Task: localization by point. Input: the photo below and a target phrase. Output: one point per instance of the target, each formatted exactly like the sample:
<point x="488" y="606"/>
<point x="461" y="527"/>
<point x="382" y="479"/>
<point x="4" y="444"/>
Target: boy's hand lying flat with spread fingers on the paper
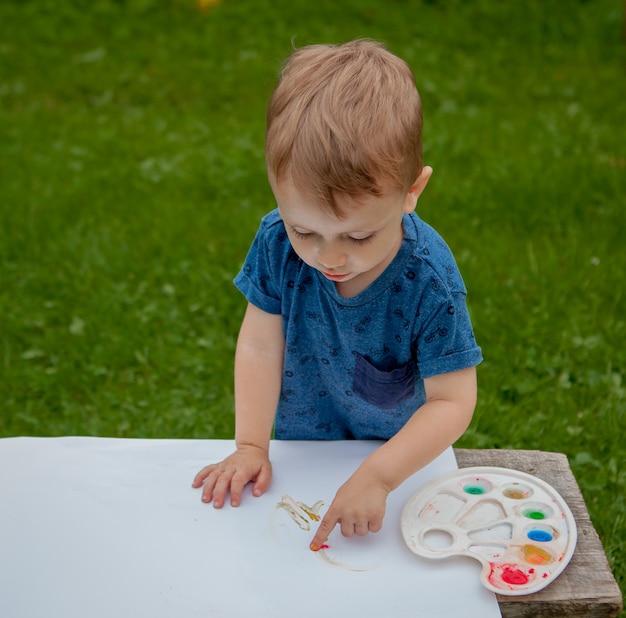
<point x="248" y="463"/>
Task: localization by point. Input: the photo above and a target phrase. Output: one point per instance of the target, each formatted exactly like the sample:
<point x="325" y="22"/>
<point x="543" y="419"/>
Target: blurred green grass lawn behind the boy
<point x="132" y="181"/>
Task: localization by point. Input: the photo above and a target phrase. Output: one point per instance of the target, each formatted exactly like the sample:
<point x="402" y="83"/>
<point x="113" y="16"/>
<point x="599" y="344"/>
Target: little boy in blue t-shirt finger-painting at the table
<point x="356" y="325"/>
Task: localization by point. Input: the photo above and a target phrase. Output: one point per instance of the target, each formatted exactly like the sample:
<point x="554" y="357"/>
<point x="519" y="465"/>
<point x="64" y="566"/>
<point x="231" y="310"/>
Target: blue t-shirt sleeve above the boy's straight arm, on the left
<point x="258" y="279"/>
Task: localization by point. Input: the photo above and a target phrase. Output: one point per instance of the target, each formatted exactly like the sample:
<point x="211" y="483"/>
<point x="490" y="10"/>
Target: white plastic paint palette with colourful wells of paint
<point x="515" y="524"/>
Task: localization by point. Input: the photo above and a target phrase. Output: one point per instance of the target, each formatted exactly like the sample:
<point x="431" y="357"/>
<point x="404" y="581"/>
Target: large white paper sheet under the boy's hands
<point x="96" y="527"/>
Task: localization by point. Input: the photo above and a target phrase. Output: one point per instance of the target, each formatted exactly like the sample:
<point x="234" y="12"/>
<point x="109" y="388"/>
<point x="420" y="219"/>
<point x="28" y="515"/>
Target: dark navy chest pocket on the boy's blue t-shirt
<point x="385" y="389"/>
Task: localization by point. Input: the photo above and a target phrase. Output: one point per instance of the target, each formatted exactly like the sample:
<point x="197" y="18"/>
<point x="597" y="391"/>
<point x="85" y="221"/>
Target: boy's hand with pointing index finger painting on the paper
<point x="359" y="507"/>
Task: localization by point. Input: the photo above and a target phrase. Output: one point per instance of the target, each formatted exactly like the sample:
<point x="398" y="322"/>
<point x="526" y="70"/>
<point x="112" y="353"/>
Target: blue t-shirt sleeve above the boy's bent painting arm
<point x="446" y="342"/>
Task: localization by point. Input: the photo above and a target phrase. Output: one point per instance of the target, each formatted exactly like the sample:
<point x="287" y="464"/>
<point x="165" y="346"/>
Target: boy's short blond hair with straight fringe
<point x="345" y="119"/>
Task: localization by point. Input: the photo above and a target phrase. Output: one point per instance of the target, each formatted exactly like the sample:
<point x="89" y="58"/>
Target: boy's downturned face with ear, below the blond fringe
<point x="354" y="250"/>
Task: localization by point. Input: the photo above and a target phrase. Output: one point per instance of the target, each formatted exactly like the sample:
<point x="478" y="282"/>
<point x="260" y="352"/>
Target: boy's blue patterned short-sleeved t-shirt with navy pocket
<point x="354" y="367"/>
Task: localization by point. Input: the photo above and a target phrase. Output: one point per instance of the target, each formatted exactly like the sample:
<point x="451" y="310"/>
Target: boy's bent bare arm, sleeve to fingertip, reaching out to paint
<point x="359" y="505"/>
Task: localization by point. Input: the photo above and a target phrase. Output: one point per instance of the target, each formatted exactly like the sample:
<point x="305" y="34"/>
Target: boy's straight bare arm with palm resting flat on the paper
<point x="258" y="374"/>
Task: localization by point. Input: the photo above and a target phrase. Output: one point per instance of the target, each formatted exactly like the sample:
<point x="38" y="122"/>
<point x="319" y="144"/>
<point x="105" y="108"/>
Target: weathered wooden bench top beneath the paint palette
<point x="587" y="586"/>
